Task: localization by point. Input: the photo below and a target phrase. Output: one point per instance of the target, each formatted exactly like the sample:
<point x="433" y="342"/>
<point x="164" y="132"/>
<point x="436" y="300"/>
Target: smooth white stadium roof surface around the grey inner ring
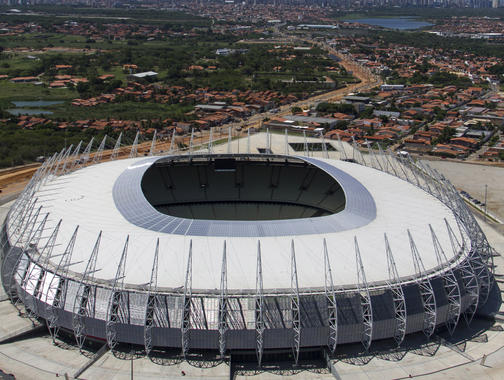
<point x="85" y="198"/>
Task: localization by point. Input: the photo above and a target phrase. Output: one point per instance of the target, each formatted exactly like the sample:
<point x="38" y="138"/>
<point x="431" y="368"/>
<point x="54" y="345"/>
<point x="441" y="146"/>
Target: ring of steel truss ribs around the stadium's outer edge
<point x="474" y="269"/>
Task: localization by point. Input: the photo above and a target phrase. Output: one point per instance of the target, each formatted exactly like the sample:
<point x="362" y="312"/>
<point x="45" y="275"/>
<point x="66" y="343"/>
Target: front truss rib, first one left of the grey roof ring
<point x="84" y="299"/>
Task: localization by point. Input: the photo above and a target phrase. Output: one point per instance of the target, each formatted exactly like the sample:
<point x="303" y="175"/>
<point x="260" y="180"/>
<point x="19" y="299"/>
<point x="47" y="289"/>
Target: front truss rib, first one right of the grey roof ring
<point x="394" y="283"/>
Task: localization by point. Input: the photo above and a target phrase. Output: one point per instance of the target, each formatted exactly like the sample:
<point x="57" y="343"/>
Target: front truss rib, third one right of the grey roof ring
<point x="451" y="285"/>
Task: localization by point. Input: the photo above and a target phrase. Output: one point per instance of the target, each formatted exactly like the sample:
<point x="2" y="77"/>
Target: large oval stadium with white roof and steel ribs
<point x="292" y="244"/>
